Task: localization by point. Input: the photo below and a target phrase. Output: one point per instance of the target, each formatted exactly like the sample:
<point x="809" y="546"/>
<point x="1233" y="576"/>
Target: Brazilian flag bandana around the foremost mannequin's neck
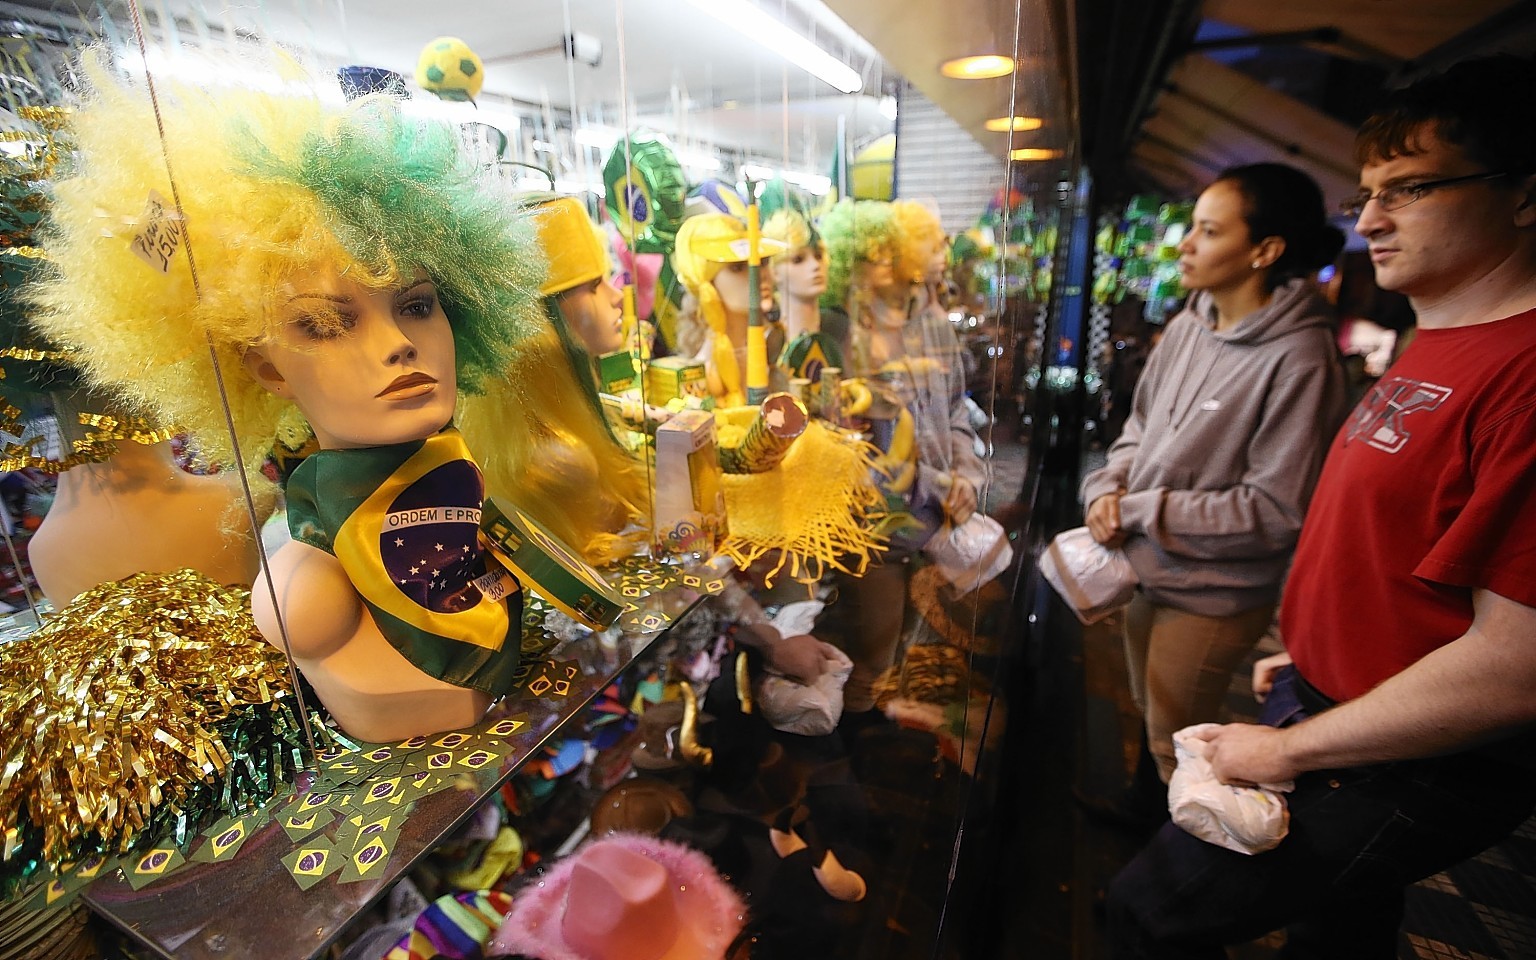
<point x="405" y="523"/>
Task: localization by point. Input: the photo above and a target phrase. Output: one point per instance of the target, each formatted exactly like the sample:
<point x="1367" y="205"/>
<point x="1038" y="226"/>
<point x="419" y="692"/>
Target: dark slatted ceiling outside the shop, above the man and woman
<point x="1230" y="82"/>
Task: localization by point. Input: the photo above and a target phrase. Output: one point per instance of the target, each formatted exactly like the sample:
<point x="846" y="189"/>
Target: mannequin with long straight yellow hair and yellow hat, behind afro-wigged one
<point x="538" y="432"/>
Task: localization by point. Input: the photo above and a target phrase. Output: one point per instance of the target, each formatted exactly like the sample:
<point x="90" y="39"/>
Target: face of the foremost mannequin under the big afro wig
<point x="368" y="368"/>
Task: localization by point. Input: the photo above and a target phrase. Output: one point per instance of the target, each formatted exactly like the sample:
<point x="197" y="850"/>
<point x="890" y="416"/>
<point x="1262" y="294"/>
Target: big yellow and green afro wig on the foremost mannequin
<point x="265" y="187"/>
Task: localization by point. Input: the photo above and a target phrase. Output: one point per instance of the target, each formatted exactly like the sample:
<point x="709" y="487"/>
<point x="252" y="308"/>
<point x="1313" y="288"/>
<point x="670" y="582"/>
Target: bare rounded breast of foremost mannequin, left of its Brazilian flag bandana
<point x="320" y="607"/>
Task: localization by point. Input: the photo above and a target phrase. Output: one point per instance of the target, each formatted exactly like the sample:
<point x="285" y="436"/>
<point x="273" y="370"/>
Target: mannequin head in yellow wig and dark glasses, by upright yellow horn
<point x="710" y="260"/>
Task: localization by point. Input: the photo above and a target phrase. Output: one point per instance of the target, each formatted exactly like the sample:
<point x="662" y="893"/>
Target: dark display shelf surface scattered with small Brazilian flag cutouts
<point x="254" y="905"/>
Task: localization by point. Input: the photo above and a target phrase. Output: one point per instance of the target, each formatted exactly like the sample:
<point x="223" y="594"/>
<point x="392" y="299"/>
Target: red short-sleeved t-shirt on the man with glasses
<point x="1429" y="494"/>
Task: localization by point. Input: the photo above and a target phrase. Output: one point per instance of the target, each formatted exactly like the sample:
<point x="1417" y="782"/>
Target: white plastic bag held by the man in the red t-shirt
<point x="1246" y="819"/>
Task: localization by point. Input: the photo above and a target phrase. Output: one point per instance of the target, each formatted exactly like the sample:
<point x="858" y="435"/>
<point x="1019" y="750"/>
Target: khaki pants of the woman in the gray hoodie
<point x="1182" y="666"/>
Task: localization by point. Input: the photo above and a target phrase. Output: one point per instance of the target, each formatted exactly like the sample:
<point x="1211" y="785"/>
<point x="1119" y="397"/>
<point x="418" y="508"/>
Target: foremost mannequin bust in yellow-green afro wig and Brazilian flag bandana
<point x="348" y="271"/>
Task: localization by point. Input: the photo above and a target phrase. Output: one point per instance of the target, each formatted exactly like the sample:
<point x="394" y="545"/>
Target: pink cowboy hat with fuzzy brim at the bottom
<point x="624" y="898"/>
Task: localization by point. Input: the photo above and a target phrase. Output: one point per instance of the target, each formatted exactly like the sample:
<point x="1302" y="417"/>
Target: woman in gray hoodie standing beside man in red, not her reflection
<point x="1208" y="485"/>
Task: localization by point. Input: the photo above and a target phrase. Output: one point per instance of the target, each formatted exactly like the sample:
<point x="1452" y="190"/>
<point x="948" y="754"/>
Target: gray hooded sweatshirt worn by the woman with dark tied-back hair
<point x="1223" y="448"/>
